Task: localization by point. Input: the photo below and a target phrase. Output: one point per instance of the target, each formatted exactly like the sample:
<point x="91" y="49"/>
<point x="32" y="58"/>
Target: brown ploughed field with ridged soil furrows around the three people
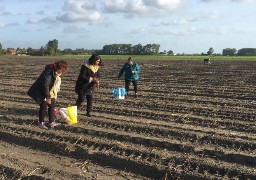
<point x="190" y="121"/>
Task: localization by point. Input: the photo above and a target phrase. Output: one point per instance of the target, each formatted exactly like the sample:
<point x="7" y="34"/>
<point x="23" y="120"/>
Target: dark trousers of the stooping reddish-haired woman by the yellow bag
<point x="43" y="109"/>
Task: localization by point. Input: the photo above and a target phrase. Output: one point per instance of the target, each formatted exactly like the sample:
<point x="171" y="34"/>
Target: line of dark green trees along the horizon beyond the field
<point x="51" y="49"/>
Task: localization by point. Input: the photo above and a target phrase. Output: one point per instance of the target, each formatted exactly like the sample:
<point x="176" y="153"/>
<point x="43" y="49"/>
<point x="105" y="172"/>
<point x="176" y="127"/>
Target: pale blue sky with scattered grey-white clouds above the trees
<point x="184" y="26"/>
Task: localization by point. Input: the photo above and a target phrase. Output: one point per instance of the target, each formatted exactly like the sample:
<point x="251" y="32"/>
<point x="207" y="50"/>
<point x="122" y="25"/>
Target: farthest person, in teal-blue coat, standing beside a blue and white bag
<point x="132" y="72"/>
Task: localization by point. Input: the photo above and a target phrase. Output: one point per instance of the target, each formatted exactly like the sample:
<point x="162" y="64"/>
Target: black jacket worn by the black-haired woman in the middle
<point x="83" y="83"/>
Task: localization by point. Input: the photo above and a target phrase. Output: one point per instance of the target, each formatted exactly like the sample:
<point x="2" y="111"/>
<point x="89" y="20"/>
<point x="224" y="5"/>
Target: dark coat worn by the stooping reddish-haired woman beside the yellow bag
<point x="40" y="89"/>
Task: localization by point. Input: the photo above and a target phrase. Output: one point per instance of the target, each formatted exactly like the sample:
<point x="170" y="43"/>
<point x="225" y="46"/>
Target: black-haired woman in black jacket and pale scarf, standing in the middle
<point x="88" y="80"/>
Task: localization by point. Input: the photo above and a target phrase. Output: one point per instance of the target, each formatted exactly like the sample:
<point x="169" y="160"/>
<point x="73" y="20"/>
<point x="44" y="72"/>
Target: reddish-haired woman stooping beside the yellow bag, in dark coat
<point x="44" y="91"/>
